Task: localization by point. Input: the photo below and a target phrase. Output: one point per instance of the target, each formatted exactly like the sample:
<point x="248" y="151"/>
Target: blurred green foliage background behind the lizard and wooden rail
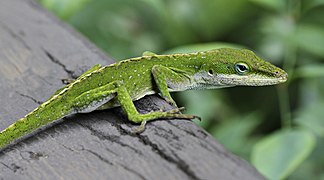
<point x="279" y="129"/>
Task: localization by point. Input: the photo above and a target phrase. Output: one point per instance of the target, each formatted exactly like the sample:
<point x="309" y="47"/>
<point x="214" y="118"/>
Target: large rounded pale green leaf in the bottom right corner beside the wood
<point x="279" y="154"/>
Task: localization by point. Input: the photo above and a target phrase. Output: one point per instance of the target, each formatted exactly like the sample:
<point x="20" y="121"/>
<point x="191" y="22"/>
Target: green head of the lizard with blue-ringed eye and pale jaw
<point x="231" y="67"/>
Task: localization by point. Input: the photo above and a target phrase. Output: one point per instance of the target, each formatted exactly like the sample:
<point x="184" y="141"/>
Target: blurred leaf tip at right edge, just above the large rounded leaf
<point x="312" y="118"/>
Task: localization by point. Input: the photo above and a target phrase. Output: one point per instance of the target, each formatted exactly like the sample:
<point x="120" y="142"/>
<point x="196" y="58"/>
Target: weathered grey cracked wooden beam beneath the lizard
<point x="36" y="52"/>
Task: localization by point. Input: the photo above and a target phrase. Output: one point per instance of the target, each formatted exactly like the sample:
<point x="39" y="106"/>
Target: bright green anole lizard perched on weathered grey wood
<point x="122" y="83"/>
